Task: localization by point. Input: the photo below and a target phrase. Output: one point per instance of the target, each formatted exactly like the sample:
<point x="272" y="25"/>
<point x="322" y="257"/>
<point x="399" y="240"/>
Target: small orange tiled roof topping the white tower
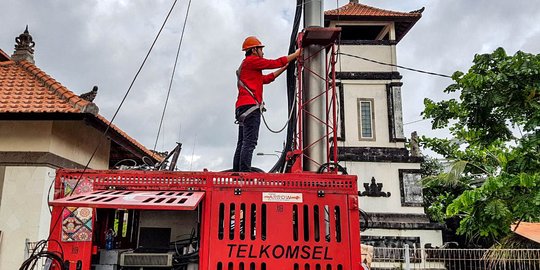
<point x="356" y="9"/>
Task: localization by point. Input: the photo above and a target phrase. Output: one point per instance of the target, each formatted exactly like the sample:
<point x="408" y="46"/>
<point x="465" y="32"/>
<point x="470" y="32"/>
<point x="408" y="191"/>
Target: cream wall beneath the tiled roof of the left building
<point x="24" y="184"/>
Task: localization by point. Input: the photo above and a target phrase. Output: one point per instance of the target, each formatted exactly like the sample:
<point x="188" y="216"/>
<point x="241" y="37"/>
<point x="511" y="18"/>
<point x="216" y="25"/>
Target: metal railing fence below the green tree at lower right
<point x="455" y="259"/>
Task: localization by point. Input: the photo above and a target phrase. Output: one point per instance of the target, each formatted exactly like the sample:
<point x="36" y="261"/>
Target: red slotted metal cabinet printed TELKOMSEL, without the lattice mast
<point x="325" y="205"/>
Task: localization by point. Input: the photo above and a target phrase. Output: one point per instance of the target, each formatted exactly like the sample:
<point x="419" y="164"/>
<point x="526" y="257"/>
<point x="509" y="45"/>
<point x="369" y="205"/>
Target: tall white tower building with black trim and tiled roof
<point x="371" y="139"/>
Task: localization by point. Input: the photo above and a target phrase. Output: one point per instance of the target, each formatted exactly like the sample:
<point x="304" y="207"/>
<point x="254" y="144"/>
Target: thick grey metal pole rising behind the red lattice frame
<point x="313" y="86"/>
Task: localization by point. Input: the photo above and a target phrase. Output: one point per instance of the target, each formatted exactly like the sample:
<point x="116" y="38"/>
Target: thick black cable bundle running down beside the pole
<point x="280" y="165"/>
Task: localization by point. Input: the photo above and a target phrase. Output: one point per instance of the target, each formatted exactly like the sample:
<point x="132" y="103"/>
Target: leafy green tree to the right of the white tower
<point x="496" y="171"/>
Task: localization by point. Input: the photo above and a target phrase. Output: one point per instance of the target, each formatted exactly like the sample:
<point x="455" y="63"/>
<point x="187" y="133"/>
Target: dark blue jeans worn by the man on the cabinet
<point x="248" y="134"/>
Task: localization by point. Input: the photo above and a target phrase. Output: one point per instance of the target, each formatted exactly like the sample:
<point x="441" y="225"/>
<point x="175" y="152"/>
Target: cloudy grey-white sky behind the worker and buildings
<point x="103" y="42"/>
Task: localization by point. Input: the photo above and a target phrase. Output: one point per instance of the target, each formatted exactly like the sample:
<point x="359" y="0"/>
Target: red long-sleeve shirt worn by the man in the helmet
<point x="251" y="75"/>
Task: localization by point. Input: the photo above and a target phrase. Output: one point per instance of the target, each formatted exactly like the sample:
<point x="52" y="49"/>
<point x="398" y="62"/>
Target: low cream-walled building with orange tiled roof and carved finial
<point x="45" y="126"/>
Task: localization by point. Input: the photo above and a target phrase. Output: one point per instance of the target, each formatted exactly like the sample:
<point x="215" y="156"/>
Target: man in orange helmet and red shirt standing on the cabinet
<point x="250" y="98"/>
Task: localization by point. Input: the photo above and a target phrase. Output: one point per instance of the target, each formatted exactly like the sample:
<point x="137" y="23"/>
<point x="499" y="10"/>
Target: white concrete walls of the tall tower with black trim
<point x="370" y="81"/>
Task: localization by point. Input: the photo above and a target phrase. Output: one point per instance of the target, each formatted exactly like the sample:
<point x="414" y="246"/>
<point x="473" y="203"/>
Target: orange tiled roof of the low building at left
<point x="26" y="89"/>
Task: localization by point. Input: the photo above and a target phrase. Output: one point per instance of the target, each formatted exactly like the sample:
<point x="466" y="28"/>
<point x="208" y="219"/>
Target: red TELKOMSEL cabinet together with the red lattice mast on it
<point x="298" y="220"/>
